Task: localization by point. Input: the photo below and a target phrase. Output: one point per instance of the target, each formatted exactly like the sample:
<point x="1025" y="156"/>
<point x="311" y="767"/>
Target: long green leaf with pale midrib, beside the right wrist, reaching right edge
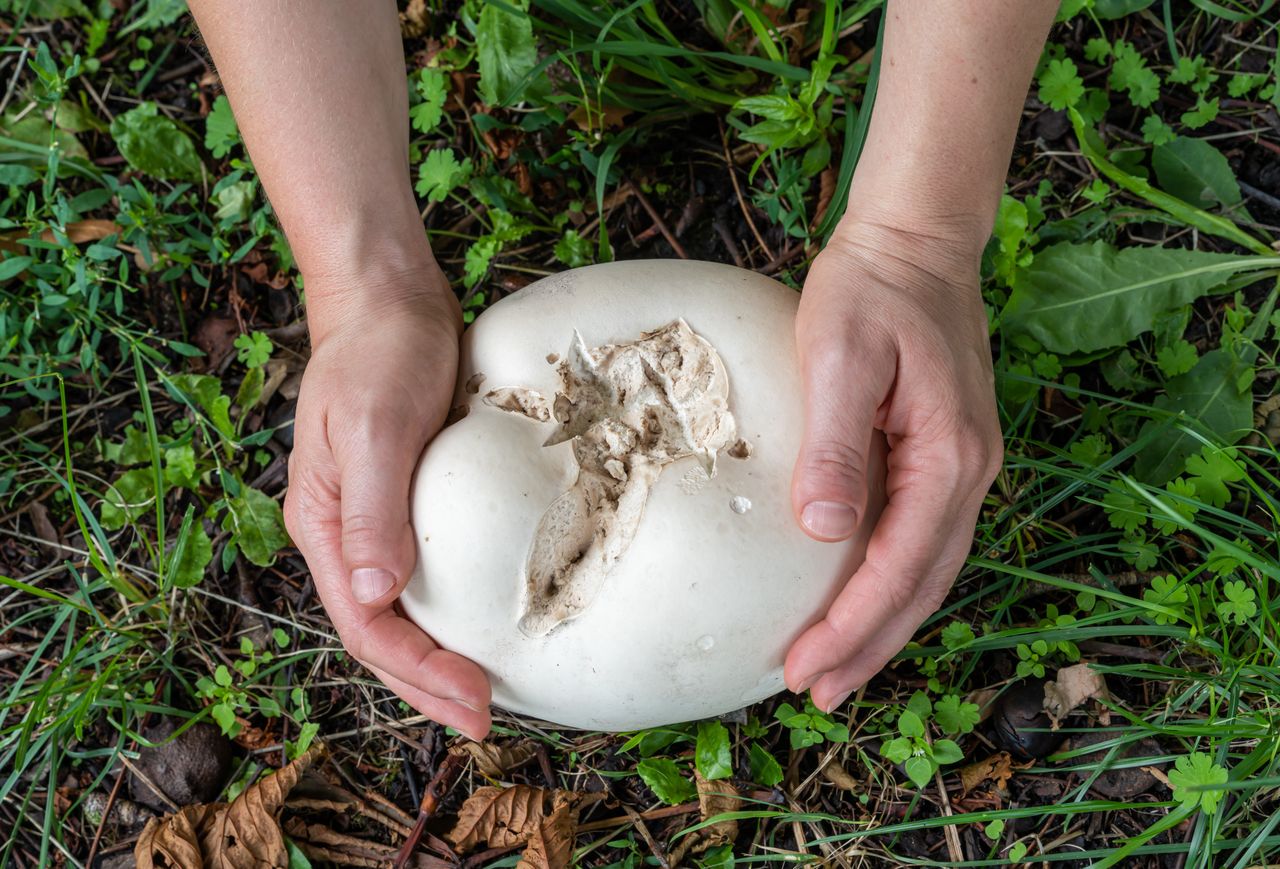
<point x="1087" y="298"/>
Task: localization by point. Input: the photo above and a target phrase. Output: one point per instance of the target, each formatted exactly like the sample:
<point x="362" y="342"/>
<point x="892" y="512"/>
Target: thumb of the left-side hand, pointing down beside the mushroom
<point x="377" y="541"/>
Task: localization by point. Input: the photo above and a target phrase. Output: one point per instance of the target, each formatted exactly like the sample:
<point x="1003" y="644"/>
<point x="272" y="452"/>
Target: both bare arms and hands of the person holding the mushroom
<point x="892" y="330"/>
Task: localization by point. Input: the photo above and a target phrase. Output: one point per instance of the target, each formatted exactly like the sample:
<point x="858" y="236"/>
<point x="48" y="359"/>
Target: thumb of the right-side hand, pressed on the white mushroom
<point x="843" y="397"/>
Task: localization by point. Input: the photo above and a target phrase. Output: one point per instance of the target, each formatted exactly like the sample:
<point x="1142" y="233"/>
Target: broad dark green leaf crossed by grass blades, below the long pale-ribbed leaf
<point x="1210" y="395"/>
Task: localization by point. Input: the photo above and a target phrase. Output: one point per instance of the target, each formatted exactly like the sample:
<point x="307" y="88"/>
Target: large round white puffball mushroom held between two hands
<point x="607" y="530"/>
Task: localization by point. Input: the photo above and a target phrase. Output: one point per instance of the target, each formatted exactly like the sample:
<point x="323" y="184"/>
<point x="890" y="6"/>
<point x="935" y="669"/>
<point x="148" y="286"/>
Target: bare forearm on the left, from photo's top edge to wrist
<point x="319" y="93"/>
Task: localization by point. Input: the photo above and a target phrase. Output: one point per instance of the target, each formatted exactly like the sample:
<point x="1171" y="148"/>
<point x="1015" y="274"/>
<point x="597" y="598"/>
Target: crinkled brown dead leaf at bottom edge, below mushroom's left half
<point x="543" y="822"/>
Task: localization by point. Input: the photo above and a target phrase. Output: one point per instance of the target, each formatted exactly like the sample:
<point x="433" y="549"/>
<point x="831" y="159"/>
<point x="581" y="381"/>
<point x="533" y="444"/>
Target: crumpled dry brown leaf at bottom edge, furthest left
<point x="241" y="835"/>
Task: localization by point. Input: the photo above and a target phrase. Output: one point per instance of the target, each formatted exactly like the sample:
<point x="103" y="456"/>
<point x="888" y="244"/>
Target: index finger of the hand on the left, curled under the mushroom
<point x="381" y="639"/>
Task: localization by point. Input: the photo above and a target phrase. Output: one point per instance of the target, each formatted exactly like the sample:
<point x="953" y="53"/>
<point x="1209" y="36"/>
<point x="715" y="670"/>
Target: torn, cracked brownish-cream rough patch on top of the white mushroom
<point x="629" y="410"/>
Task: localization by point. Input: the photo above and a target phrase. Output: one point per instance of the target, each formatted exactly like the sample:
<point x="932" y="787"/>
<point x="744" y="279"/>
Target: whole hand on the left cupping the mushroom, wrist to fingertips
<point x="377" y="390"/>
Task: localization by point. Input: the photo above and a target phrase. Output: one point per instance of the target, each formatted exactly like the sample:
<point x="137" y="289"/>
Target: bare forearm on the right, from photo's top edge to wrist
<point x="954" y="75"/>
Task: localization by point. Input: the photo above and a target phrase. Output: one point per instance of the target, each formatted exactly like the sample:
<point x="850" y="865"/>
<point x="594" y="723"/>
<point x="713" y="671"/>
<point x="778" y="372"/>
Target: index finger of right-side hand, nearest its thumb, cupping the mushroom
<point x="932" y="495"/>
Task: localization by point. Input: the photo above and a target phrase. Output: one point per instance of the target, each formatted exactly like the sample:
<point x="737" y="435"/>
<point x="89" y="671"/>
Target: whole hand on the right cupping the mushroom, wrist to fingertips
<point x="893" y="337"/>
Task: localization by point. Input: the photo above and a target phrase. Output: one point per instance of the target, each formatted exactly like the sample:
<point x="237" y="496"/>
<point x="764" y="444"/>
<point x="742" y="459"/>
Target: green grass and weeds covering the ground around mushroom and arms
<point x="156" y="470"/>
